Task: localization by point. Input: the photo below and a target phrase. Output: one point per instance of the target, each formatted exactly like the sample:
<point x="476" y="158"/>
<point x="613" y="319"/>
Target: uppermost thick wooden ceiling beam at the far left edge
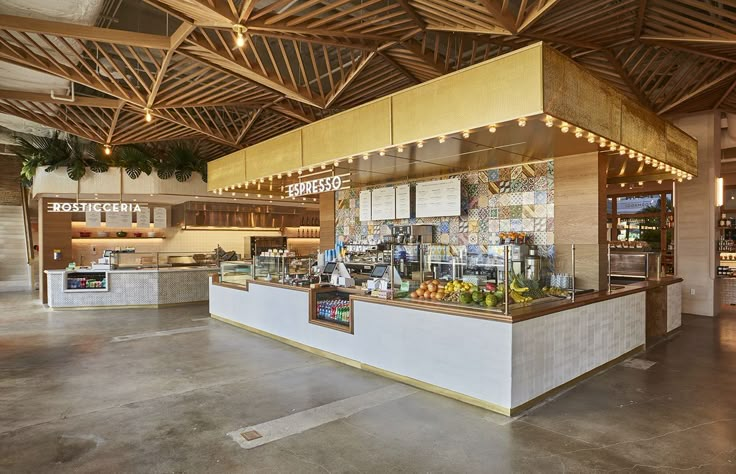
<point x="82" y="32"/>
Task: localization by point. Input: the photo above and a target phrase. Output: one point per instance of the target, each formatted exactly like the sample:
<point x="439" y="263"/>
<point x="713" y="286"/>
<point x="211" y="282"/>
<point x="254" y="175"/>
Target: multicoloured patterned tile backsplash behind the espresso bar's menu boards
<point x="518" y="198"/>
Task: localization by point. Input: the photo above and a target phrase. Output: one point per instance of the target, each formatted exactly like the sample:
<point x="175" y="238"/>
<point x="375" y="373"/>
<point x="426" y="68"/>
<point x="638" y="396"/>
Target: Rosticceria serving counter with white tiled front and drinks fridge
<point x="124" y="288"/>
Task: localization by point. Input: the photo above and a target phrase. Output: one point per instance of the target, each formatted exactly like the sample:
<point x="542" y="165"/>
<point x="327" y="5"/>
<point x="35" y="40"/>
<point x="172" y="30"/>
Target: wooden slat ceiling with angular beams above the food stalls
<point x="305" y="59"/>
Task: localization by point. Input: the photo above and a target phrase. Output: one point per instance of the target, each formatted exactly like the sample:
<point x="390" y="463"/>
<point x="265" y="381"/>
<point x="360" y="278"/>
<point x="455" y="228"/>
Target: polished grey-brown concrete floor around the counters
<point x="116" y="391"/>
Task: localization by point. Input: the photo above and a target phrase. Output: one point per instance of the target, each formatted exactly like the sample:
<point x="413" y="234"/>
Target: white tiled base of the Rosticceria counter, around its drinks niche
<point x="135" y="288"/>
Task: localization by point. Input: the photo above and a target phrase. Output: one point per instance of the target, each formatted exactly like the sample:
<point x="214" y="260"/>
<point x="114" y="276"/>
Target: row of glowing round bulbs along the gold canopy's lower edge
<point x="549" y="121"/>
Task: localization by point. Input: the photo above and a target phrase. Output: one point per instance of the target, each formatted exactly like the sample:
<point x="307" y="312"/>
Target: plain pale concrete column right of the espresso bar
<point x="696" y="218"/>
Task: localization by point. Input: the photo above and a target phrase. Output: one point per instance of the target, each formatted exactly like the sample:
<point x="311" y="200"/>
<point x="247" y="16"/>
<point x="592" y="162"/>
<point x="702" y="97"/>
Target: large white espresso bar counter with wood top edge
<point x="505" y="363"/>
